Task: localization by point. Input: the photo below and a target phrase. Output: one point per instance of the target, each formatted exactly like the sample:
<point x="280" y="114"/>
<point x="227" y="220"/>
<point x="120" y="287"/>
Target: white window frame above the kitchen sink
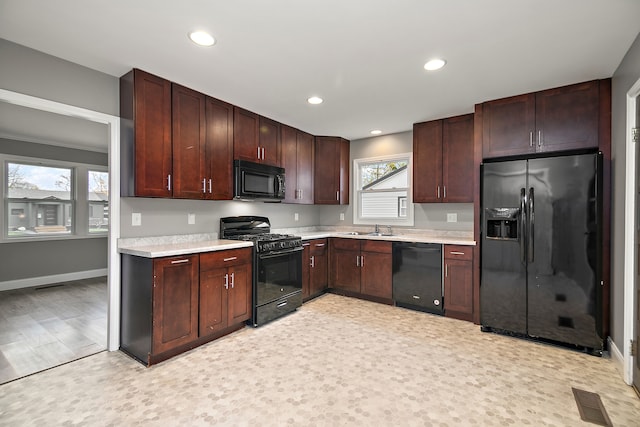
<point x="357" y="185"/>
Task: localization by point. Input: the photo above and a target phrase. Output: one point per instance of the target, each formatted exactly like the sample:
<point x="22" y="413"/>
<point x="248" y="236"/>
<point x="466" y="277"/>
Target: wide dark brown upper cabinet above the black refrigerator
<point x="564" y="118"/>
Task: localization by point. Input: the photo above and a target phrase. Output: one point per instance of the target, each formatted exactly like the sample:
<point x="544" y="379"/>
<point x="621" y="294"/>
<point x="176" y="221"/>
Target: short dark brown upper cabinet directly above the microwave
<point x="255" y="138"/>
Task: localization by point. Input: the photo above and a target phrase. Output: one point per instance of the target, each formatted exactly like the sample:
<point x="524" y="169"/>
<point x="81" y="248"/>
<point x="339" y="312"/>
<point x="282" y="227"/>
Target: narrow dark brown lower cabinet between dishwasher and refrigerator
<point x="458" y="282"/>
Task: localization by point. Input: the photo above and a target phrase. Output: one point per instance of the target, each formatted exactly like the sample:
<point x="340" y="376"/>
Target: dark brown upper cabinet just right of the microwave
<point x="297" y="151"/>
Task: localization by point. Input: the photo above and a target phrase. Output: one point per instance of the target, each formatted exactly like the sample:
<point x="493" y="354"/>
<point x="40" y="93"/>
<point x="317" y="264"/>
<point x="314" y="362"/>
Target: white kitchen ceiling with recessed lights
<point x="364" y="57"/>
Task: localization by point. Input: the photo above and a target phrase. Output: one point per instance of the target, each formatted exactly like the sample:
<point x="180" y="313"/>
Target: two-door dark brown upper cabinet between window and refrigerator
<point x="443" y="160"/>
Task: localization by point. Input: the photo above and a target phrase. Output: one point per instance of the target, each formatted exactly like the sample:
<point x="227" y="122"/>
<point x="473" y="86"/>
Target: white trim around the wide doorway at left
<point x="113" y="126"/>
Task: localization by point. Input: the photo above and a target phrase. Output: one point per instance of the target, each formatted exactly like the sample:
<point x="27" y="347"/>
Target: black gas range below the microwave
<point x="277" y="266"/>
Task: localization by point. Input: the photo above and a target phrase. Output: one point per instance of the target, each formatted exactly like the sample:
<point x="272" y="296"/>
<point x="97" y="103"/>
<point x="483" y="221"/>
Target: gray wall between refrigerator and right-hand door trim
<point x="624" y="78"/>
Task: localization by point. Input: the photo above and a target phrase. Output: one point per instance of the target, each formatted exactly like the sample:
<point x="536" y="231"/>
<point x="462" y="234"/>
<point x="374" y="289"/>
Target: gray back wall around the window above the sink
<point x="426" y="215"/>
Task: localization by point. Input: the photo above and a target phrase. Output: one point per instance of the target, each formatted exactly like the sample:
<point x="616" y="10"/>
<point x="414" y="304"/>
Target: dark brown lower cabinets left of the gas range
<point x="173" y="304"/>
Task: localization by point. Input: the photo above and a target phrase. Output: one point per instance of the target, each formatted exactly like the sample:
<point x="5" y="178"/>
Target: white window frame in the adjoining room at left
<point x="79" y="198"/>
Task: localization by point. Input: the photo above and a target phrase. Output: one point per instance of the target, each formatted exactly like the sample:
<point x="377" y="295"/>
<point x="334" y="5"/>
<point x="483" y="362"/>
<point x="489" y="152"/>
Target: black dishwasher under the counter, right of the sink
<point x="417" y="276"/>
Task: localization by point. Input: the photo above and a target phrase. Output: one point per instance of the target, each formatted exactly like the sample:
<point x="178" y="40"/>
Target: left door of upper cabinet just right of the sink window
<point x="427" y="162"/>
